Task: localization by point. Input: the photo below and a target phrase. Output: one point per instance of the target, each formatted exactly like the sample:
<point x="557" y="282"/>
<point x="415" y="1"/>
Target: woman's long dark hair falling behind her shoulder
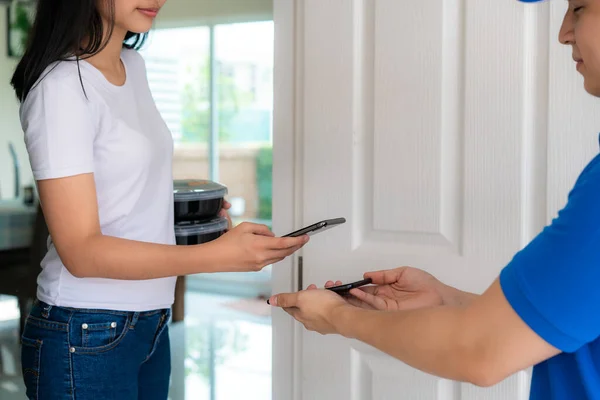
<point x="58" y="32"/>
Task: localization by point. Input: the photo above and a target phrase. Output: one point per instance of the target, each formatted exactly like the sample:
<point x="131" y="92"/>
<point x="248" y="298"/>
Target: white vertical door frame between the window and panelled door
<point x="287" y="190"/>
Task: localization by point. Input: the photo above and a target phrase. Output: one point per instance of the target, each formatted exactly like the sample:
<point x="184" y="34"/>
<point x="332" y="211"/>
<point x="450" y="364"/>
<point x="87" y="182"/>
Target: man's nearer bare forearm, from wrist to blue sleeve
<point x="482" y="343"/>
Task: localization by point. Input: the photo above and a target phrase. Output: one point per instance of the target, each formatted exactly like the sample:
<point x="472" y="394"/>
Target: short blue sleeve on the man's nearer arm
<point x="554" y="283"/>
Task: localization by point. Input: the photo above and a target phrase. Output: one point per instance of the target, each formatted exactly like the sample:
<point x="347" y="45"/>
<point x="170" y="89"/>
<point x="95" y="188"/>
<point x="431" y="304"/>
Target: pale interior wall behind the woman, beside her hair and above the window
<point x="175" y="13"/>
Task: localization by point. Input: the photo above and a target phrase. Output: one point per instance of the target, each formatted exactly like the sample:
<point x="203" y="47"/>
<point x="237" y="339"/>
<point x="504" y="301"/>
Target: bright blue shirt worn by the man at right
<point x="554" y="286"/>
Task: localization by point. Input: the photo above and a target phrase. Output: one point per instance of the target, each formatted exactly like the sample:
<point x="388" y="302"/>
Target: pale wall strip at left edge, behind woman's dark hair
<point x="10" y="127"/>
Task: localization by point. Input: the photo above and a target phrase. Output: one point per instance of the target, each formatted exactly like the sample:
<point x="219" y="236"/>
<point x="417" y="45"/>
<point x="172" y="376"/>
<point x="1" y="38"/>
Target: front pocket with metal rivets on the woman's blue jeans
<point x="95" y="332"/>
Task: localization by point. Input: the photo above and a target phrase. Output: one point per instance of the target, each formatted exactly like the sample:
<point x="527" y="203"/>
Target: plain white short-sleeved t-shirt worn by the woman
<point x="118" y="134"/>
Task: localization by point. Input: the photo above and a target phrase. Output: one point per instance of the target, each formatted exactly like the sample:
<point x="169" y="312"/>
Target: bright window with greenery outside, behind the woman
<point x="213" y="85"/>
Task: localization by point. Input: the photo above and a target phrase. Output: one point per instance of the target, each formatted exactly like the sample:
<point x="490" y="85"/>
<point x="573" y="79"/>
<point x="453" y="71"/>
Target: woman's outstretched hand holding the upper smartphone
<point x="251" y="247"/>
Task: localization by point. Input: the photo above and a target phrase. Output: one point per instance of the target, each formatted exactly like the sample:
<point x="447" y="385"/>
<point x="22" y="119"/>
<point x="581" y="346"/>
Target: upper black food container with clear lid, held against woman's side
<point x="197" y="199"/>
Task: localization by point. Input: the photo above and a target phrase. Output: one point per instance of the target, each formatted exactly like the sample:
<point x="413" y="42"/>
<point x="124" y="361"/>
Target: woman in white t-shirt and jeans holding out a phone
<point x="101" y="156"/>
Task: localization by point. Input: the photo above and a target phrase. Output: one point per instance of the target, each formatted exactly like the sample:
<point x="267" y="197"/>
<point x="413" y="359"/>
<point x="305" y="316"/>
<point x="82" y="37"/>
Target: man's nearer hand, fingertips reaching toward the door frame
<point x="314" y="308"/>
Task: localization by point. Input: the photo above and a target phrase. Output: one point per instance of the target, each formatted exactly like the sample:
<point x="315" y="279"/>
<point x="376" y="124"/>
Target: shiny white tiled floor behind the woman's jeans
<point x="221" y="352"/>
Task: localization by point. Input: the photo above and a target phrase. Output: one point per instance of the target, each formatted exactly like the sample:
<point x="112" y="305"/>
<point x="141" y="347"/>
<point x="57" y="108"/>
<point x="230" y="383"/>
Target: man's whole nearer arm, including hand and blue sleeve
<point x="547" y="303"/>
